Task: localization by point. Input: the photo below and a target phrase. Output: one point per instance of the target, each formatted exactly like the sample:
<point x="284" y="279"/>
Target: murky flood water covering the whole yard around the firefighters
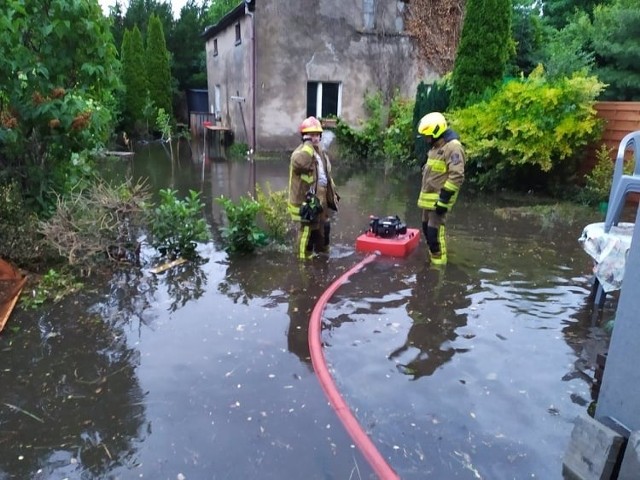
<point x="475" y="371"/>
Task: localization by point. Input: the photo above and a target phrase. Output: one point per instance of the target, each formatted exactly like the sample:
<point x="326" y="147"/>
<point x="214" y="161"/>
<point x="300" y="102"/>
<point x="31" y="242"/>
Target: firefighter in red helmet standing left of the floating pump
<point x="311" y="191"/>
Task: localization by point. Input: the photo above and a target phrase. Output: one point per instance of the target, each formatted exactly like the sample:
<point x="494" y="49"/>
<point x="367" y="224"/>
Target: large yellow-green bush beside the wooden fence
<point x="529" y="129"/>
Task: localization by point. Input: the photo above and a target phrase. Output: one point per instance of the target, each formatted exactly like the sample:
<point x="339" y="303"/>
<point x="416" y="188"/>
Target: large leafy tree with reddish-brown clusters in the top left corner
<point x="58" y="75"/>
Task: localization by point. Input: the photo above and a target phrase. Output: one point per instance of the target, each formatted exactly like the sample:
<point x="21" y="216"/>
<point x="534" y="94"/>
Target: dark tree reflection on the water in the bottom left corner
<point x="82" y="414"/>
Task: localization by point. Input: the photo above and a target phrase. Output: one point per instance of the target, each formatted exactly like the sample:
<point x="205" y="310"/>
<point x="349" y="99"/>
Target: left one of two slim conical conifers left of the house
<point x="135" y="80"/>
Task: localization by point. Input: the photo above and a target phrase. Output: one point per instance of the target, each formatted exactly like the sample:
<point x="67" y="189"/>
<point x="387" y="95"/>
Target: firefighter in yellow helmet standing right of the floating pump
<point x="442" y="177"/>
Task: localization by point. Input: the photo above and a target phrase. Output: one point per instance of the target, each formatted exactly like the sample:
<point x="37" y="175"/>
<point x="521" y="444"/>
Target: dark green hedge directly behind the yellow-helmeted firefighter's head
<point x="429" y="98"/>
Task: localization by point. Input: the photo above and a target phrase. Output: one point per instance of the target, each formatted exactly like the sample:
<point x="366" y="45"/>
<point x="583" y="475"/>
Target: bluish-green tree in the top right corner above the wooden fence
<point x="616" y="44"/>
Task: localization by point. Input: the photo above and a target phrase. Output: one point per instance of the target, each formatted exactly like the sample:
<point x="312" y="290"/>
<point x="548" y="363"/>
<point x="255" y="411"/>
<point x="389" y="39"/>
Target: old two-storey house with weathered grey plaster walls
<point x="294" y="58"/>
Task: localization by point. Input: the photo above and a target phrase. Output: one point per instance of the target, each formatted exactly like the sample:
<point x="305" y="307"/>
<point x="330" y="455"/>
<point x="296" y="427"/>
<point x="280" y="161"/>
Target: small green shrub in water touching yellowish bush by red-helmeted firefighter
<point x="242" y="234"/>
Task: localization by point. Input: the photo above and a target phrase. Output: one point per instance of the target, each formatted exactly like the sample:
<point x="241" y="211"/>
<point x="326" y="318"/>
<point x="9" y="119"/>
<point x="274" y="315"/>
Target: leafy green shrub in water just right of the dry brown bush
<point x="177" y="225"/>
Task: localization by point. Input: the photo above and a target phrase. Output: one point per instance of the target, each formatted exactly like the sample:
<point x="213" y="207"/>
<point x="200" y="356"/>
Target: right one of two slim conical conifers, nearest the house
<point x="157" y="65"/>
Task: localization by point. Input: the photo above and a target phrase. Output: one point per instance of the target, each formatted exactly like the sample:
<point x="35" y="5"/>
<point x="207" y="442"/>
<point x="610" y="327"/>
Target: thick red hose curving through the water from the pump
<point x="359" y="436"/>
